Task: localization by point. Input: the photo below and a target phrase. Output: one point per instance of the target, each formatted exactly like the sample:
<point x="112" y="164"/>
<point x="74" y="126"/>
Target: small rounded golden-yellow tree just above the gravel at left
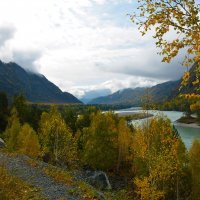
<point x="28" y="142"/>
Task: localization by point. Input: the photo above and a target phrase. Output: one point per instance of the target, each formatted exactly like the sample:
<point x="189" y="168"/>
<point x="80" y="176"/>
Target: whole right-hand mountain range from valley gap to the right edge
<point x="158" y="93"/>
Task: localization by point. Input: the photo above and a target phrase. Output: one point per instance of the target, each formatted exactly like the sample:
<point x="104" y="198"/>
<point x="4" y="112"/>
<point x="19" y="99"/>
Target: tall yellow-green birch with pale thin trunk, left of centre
<point x="56" y="138"/>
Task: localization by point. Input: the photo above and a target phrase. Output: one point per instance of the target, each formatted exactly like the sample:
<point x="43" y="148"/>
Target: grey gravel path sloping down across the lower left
<point x="19" y="167"/>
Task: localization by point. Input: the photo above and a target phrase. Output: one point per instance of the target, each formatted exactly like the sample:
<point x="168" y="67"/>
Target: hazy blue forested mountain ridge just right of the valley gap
<point x="133" y="97"/>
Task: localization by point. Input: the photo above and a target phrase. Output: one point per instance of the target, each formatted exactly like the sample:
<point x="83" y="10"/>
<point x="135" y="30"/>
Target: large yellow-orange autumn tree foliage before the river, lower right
<point x="160" y="161"/>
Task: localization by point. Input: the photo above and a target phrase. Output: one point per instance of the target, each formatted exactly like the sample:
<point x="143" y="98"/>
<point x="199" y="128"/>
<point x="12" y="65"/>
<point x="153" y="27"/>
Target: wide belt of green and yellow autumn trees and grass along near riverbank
<point x="151" y="160"/>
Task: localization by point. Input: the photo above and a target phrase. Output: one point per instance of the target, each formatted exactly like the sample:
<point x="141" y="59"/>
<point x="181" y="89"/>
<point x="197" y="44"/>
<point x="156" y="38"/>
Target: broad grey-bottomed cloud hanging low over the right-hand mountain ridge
<point x="142" y="62"/>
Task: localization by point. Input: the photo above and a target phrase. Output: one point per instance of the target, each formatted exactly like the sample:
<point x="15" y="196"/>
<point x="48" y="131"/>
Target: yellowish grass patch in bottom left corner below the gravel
<point x="13" y="188"/>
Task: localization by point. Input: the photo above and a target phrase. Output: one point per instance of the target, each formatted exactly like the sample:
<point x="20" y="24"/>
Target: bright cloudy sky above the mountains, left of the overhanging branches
<point x="81" y="45"/>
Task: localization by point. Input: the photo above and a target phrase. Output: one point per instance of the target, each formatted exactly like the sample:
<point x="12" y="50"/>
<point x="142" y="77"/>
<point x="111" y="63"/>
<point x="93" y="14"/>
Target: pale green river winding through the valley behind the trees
<point x="188" y="134"/>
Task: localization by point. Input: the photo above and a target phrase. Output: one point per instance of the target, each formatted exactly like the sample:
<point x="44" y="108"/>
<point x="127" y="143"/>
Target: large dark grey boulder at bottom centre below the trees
<point x="99" y="180"/>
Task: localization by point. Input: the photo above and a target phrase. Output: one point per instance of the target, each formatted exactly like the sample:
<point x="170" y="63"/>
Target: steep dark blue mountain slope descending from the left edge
<point x="36" y="88"/>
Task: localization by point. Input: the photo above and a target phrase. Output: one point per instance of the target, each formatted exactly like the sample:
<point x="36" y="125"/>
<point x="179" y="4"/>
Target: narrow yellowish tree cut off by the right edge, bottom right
<point x="195" y="169"/>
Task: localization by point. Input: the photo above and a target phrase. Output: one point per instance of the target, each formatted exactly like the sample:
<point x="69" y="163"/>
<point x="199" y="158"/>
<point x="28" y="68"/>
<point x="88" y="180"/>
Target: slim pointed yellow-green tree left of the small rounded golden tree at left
<point x="12" y="131"/>
